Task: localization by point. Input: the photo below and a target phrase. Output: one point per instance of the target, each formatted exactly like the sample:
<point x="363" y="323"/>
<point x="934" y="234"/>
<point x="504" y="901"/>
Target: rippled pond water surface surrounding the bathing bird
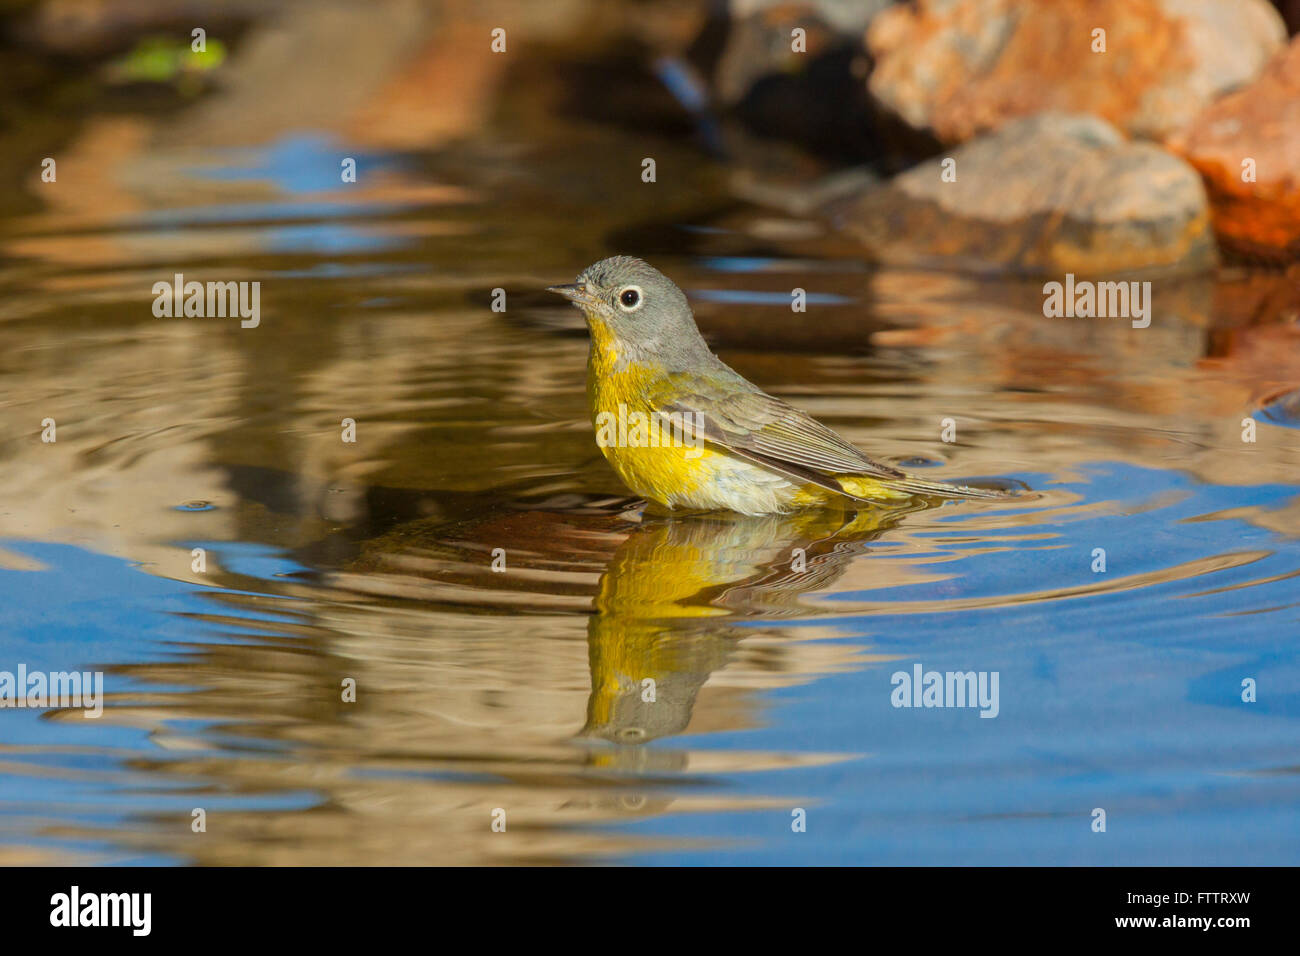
<point x="772" y="642"/>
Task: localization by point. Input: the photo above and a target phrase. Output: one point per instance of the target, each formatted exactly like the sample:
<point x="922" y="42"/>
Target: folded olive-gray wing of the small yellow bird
<point x="757" y="425"/>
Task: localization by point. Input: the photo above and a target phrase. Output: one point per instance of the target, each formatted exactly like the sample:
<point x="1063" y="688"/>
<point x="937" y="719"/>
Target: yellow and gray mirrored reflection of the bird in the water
<point x="671" y="598"/>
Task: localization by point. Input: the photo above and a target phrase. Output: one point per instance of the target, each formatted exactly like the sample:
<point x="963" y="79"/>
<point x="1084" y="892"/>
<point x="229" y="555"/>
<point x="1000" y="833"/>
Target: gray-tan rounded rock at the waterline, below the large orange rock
<point x="1045" y="196"/>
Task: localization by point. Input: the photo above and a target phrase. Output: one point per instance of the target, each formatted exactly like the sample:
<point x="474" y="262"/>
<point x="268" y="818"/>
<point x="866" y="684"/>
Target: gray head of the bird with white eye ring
<point x="638" y="312"/>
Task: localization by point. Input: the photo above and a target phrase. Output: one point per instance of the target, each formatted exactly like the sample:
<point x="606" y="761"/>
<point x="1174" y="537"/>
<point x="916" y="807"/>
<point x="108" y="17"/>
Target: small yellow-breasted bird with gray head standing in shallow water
<point x="688" y="434"/>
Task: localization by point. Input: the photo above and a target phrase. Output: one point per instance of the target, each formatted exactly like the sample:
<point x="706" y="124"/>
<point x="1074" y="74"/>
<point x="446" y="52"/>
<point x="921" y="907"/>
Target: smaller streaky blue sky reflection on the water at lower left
<point x="88" y="612"/>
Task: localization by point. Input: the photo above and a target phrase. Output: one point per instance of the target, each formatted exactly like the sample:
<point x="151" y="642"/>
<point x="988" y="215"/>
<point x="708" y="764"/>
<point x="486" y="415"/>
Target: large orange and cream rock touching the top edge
<point x="957" y="68"/>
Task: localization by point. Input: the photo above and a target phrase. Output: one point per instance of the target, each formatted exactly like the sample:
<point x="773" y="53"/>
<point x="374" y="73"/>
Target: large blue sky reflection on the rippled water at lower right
<point x="1126" y="700"/>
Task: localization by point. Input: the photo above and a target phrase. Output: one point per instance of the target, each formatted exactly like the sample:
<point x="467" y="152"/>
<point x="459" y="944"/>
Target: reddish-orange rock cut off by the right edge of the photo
<point x="1262" y="123"/>
